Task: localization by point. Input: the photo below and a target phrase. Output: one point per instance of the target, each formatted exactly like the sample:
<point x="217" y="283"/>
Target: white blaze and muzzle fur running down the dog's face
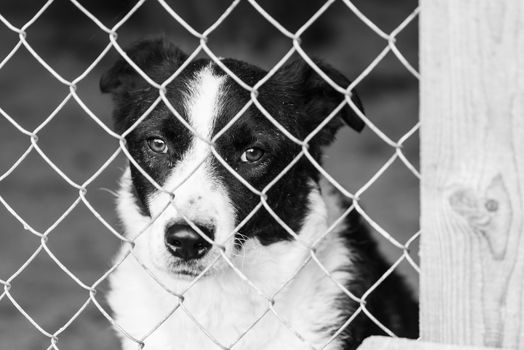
<point x="198" y="196"/>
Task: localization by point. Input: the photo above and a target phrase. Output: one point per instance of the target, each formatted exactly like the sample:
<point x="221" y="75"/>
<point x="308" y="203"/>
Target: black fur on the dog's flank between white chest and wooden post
<point x="391" y="303"/>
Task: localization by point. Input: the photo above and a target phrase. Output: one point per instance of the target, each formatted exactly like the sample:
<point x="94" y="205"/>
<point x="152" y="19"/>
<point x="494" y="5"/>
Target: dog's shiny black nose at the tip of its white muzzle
<point x="185" y="243"/>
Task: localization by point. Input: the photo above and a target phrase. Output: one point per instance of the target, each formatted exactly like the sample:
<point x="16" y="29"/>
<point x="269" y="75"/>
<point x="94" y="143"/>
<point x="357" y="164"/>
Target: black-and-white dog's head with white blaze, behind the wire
<point x="219" y="164"/>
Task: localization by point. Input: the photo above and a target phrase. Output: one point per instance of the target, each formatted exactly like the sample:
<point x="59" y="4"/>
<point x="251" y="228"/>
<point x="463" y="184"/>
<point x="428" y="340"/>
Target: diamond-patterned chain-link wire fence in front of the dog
<point x="82" y="188"/>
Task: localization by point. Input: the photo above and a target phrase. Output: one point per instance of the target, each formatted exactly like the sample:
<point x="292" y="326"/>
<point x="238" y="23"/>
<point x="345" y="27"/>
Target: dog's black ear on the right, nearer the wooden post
<point x="320" y="97"/>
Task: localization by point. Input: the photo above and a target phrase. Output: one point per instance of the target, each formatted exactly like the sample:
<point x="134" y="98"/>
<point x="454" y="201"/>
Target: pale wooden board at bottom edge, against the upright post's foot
<point x="388" y="343"/>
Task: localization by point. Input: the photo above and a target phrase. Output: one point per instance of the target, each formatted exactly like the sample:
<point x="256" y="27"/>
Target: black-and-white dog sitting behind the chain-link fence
<point x="250" y="217"/>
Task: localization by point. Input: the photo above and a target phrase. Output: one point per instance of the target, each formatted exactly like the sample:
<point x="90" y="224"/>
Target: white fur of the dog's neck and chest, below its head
<point x="225" y="305"/>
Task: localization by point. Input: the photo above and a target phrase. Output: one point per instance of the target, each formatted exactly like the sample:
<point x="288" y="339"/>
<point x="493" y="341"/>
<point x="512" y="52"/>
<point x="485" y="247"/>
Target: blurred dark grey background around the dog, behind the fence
<point x="69" y="42"/>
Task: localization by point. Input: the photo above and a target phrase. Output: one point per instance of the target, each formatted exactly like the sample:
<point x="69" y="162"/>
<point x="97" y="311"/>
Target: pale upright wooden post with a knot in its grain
<point x="472" y="156"/>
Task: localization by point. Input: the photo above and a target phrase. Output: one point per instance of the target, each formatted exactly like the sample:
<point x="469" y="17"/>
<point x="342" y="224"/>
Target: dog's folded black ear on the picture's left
<point x="158" y="58"/>
